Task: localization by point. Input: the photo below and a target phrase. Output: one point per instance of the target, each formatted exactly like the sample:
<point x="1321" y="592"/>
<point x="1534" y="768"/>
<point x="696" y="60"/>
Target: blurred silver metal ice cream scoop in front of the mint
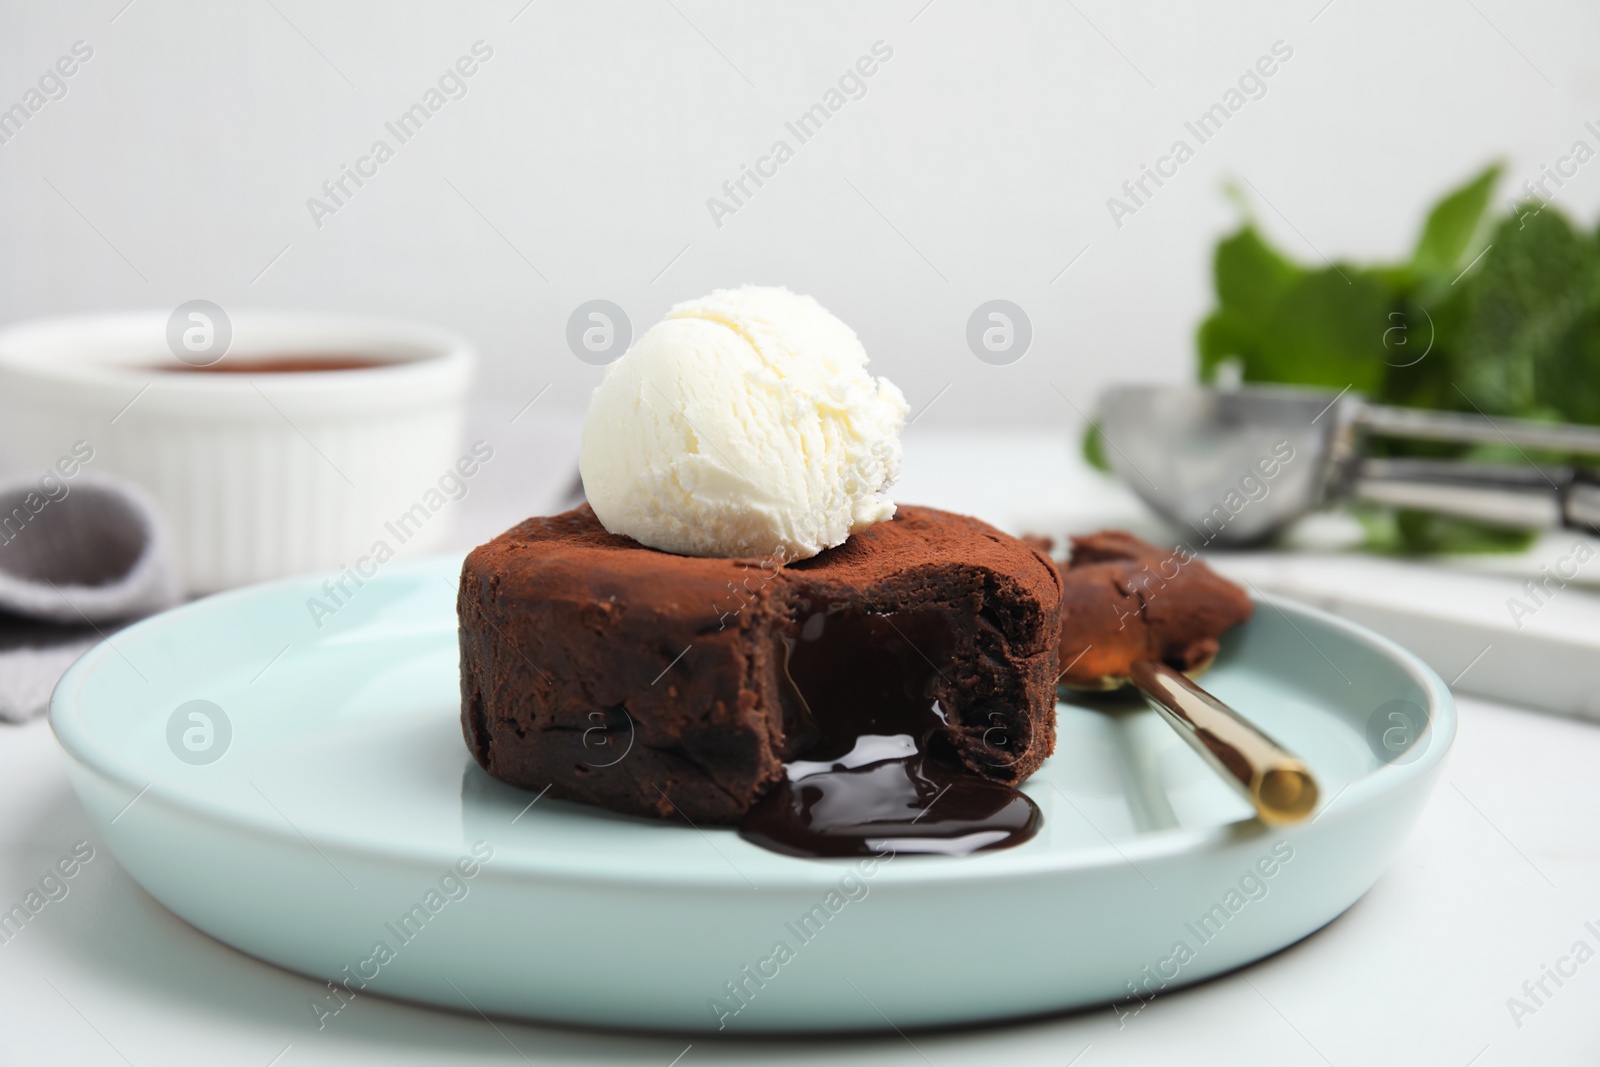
<point x="1238" y="465"/>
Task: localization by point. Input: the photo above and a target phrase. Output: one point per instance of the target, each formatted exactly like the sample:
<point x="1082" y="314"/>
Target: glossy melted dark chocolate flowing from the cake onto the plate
<point x="870" y="772"/>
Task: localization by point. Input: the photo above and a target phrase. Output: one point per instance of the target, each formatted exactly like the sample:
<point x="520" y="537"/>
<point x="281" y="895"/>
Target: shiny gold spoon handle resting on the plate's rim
<point x="1276" y="783"/>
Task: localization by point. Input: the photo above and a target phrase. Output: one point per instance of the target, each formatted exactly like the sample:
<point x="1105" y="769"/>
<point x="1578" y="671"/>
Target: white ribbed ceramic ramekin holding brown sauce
<point x="260" y="476"/>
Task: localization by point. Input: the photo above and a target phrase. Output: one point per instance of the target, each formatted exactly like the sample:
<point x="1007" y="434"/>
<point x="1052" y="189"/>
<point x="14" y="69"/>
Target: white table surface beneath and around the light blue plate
<point x="1498" y="881"/>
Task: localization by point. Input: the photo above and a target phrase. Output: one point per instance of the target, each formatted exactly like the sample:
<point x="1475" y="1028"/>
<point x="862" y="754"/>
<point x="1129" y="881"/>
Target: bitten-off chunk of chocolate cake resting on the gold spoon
<point x="1126" y="601"/>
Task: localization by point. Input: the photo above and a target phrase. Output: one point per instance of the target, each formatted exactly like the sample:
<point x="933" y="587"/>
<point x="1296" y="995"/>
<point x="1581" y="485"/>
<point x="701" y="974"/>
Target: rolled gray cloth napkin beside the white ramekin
<point x="79" y="559"/>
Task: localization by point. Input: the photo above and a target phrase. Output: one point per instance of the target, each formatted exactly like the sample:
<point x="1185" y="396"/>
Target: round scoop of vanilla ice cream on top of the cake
<point x="743" y="425"/>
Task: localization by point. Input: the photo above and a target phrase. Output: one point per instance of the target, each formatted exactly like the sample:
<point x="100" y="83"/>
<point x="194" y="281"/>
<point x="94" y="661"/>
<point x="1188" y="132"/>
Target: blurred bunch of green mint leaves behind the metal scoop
<point x="1494" y="313"/>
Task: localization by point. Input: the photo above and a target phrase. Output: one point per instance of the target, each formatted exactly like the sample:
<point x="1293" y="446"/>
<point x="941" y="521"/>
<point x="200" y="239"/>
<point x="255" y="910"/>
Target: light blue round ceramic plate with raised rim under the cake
<point x="324" y="813"/>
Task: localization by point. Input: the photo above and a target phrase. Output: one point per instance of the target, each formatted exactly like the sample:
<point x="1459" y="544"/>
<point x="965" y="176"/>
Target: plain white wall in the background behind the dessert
<point x="977" y="166"/>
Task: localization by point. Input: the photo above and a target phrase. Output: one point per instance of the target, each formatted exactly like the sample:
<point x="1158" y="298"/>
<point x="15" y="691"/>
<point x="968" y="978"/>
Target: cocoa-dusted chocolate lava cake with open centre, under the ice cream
<point x="679" y="687"/>
